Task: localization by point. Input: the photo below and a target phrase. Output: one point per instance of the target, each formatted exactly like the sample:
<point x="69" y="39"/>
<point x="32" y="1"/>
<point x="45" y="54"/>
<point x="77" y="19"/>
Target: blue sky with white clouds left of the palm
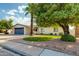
<point x="14" y="11"/>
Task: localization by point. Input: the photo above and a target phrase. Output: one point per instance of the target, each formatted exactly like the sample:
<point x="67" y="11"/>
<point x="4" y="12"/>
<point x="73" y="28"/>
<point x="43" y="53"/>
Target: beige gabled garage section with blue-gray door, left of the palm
<point x="20" y="29"/>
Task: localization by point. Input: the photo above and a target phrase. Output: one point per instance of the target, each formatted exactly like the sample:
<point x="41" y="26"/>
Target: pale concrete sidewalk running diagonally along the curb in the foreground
<point x="28" y="50"/>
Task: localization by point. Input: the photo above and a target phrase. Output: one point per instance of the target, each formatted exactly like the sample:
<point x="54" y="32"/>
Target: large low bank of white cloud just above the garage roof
<point x="20" y="20"/>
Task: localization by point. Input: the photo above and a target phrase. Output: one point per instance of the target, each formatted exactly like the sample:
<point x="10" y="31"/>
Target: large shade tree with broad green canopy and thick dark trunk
<point x="59" y="14"/>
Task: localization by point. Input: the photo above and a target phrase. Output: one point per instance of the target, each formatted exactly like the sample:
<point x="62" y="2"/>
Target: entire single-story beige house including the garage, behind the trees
<point x="19" y="29"/>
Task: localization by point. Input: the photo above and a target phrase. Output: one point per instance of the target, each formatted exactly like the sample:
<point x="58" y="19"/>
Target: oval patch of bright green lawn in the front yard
<point x="41" y="38"/>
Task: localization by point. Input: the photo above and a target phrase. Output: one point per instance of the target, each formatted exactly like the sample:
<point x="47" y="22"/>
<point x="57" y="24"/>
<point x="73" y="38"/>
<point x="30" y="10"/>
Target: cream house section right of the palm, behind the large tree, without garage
<point x="54" y="30"/>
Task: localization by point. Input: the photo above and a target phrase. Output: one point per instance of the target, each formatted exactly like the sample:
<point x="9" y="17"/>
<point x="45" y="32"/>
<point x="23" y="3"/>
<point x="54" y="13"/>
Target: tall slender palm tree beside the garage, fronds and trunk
<point x="30" y="10"/>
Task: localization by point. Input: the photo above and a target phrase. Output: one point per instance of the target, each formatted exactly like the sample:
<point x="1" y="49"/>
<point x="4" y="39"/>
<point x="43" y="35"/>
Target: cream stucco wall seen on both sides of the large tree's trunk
<point x="49" y="30"/>
